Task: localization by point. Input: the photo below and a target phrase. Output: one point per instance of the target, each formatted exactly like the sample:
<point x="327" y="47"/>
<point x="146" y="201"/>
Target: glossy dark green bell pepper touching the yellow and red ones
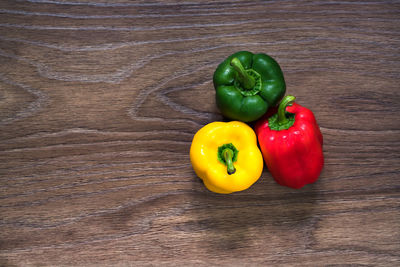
<point x="247" y="85"/>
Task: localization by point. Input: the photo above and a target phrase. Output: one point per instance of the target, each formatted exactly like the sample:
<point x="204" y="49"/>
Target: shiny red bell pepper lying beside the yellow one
<point x="291" y="144"/>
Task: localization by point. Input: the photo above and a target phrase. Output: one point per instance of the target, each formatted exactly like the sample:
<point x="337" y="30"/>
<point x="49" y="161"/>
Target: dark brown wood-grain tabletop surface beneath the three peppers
<point x="99" y="102"/>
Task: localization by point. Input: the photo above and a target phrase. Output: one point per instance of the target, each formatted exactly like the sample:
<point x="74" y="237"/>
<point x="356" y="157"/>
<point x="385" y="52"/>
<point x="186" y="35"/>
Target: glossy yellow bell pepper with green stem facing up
<point x="226" y="157"/>
